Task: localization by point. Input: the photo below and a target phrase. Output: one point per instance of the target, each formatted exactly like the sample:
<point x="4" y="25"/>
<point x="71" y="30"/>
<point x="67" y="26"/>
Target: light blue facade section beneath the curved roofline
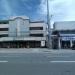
<point x="19" y="27"/>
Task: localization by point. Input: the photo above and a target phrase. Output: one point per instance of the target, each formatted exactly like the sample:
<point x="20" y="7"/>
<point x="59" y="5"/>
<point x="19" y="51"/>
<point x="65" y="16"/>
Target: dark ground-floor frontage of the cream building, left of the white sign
<point x="20" y="44"/>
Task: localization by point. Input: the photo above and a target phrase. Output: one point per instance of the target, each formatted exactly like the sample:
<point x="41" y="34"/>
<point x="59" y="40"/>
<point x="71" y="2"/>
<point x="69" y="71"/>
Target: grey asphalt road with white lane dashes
<point x="37" y="63"/>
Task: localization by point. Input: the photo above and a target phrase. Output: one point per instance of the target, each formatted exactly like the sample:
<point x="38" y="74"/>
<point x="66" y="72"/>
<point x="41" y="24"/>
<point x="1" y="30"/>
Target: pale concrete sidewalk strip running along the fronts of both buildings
<point x="35" y="50"/>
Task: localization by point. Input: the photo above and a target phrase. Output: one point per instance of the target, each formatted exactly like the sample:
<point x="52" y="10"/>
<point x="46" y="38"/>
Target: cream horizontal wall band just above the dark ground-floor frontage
<point x="22" y="39"/>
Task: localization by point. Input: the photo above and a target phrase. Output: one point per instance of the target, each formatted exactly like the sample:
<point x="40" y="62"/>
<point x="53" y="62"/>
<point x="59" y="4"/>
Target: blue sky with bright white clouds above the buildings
<point x="60" y="10"/>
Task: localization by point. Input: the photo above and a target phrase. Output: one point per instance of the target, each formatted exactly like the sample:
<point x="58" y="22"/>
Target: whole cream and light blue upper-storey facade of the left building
<point x="19" y="27"/>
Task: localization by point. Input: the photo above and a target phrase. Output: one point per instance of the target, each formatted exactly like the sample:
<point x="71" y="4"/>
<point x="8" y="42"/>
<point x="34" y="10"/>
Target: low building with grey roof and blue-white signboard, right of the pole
<point x="64" y="34"/>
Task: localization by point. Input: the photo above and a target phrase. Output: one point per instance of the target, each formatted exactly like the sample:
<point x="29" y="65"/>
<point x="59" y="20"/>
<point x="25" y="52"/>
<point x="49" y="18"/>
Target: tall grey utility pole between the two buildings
<point x="49" y="27"/>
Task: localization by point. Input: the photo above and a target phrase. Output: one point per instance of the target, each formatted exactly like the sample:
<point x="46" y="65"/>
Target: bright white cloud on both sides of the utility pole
<point x="61" y="9"/>
